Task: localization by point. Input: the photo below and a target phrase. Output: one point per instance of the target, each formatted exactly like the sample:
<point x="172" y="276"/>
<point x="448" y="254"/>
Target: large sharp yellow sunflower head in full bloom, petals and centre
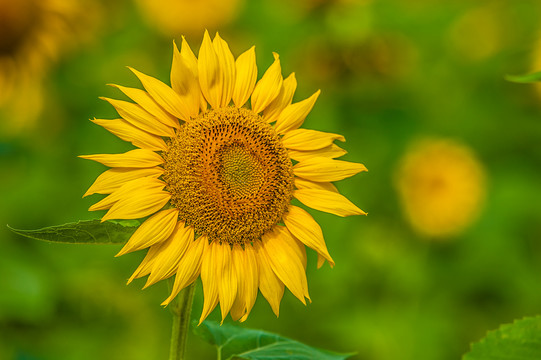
<point x="216" y="177"/>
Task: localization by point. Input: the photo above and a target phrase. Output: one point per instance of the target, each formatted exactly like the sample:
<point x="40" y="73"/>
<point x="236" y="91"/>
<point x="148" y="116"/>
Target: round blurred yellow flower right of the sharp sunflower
<point x="441" y="186"/>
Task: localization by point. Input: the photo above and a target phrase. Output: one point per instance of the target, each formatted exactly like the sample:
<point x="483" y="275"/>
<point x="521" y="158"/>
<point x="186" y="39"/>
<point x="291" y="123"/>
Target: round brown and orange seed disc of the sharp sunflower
<point x="229" y="175"/>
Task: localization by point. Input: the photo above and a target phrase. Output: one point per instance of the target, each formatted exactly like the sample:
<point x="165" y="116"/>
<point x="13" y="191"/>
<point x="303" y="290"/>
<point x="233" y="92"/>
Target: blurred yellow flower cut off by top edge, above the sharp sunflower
<point x="176" y="17"/>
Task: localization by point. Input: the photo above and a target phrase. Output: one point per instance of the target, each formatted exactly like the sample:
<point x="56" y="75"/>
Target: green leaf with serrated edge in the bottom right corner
<point x="520" y="340"/>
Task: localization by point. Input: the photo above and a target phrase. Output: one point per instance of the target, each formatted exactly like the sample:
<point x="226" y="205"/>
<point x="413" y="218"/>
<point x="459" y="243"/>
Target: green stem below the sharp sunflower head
<point x="181" y="310"/>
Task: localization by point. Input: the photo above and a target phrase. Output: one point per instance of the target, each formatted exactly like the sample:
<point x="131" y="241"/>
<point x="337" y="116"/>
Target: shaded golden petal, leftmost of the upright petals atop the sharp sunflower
<point x="185" y="83"/>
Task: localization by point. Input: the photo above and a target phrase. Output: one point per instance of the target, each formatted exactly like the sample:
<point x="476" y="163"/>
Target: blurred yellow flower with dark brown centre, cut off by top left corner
<point x="33" y="34"/>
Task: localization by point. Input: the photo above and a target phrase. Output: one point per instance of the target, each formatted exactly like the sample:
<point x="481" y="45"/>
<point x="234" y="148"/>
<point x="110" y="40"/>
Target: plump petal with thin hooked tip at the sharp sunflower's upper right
<point x="268" y="88"/>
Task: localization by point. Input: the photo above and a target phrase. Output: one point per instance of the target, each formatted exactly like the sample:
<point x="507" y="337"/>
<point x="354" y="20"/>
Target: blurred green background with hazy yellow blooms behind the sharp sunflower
<point x="452" y="244"/>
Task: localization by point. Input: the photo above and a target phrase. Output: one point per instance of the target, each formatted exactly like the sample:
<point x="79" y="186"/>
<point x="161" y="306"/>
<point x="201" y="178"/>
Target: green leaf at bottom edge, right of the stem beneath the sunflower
<point x="234" y="342"/>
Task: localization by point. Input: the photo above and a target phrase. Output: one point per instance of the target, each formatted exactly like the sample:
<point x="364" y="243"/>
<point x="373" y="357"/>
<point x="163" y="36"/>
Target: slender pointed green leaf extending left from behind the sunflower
<point x="84" y="232"/>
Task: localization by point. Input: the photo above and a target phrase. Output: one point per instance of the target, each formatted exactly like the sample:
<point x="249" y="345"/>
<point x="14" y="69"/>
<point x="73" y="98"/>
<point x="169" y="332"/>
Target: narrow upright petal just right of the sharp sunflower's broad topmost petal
<point x="226" y="65"/>
